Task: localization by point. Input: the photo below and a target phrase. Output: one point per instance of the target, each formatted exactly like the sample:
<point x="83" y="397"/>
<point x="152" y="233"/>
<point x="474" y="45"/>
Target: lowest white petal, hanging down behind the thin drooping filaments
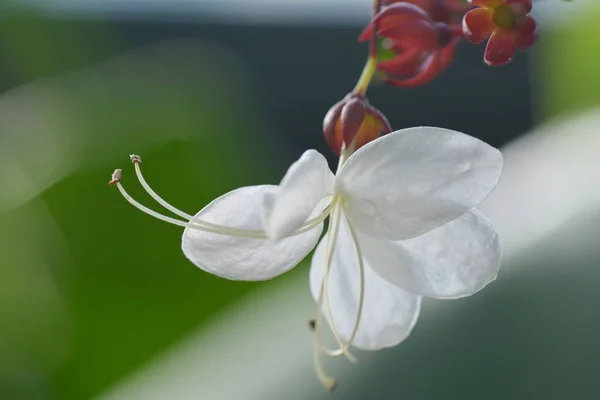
<point x="389" y="313"/>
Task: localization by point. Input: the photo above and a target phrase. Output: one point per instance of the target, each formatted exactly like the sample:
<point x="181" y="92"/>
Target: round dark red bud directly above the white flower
<point x="353" y="122"/>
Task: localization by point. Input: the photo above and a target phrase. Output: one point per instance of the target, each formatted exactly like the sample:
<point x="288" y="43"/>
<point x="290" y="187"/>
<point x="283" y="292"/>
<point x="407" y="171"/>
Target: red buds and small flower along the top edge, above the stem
<point x="423" y="34"/>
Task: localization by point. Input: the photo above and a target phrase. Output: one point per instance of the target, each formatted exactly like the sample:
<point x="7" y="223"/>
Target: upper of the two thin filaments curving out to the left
<point x="229" y="230"/>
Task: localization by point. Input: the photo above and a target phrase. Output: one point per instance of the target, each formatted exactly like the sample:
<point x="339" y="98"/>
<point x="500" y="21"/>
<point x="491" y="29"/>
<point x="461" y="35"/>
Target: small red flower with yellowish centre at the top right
<point x="507" y="25"/>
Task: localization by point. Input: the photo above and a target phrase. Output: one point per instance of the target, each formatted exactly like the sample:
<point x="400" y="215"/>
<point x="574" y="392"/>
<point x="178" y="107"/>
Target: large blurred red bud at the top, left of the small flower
<point x="423" y="47"/>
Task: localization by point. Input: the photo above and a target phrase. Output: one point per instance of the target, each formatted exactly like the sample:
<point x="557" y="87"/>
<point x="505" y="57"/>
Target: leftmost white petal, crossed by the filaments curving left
<point x="242" y="258"/>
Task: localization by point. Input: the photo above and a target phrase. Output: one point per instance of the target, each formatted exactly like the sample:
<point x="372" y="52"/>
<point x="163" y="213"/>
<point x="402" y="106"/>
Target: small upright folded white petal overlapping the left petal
<point x="288" y="206"/>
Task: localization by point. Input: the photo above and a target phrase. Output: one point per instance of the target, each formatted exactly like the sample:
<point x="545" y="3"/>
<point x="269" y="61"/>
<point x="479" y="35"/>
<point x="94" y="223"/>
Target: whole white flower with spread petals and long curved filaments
<point x="402" y="226"/>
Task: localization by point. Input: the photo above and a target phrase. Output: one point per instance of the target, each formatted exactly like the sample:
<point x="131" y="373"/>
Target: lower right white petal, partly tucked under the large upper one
<point x="454" y="260"/>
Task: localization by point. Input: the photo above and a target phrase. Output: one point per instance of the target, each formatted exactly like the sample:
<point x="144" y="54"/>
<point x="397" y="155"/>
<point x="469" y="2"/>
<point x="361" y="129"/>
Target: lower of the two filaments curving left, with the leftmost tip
<point x="249" y="234"/>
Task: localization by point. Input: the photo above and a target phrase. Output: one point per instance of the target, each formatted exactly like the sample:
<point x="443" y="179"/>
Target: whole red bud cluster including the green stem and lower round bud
<point x="421" y="36"/>
